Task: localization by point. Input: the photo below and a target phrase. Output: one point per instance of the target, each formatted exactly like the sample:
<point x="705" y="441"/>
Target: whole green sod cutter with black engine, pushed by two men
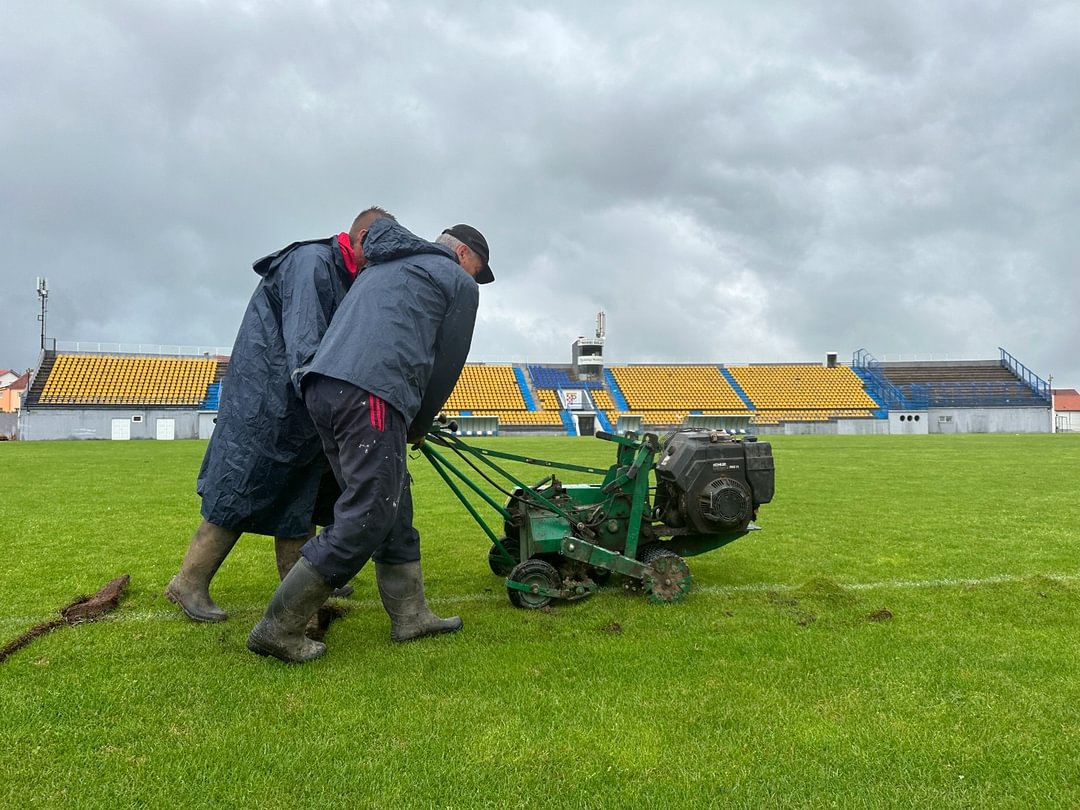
<point x="658" y="504"/>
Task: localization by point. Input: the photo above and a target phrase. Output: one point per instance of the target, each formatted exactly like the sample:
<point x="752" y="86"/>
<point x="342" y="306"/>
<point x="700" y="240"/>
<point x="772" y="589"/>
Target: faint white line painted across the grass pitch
<point x="499" y="595"/>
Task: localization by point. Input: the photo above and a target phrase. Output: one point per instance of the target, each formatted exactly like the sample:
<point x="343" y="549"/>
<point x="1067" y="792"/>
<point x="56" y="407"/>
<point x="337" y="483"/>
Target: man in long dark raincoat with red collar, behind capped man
<point x="265" y="471"/>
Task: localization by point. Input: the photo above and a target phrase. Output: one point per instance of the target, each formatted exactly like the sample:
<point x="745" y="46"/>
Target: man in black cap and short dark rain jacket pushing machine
<point x="386" y="367"/>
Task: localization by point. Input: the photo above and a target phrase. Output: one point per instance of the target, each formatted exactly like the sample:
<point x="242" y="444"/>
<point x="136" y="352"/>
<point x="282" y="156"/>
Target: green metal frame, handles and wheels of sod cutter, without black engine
<point x="560" y="542"/>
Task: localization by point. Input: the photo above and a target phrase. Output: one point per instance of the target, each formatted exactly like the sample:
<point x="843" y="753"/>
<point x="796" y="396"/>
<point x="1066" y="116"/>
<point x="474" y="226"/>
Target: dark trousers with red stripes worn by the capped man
<point x="364" y="441"/>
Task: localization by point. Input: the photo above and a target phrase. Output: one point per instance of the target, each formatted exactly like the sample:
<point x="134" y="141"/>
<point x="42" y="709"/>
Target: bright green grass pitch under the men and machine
<point x="904" y="632"/>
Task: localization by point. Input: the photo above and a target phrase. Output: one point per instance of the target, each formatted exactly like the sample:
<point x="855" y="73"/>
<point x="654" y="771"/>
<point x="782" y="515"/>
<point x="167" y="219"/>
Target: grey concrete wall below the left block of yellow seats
<point x="75" y="424"/>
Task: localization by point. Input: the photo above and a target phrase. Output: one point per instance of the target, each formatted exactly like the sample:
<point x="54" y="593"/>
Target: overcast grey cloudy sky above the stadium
<point x="730" y="182"/>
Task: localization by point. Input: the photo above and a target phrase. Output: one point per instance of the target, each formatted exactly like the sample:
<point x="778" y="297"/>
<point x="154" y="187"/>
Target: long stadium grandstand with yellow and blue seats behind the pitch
<point x="166" y="394"/>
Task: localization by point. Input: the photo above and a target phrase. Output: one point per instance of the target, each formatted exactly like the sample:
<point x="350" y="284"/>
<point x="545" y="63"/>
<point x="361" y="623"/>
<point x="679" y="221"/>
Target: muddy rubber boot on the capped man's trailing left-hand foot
<point x="280" y="633"/>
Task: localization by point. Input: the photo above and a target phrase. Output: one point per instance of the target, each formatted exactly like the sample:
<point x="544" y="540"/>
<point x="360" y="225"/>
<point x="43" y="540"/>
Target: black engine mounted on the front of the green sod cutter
<point x="710" y="482"/>
